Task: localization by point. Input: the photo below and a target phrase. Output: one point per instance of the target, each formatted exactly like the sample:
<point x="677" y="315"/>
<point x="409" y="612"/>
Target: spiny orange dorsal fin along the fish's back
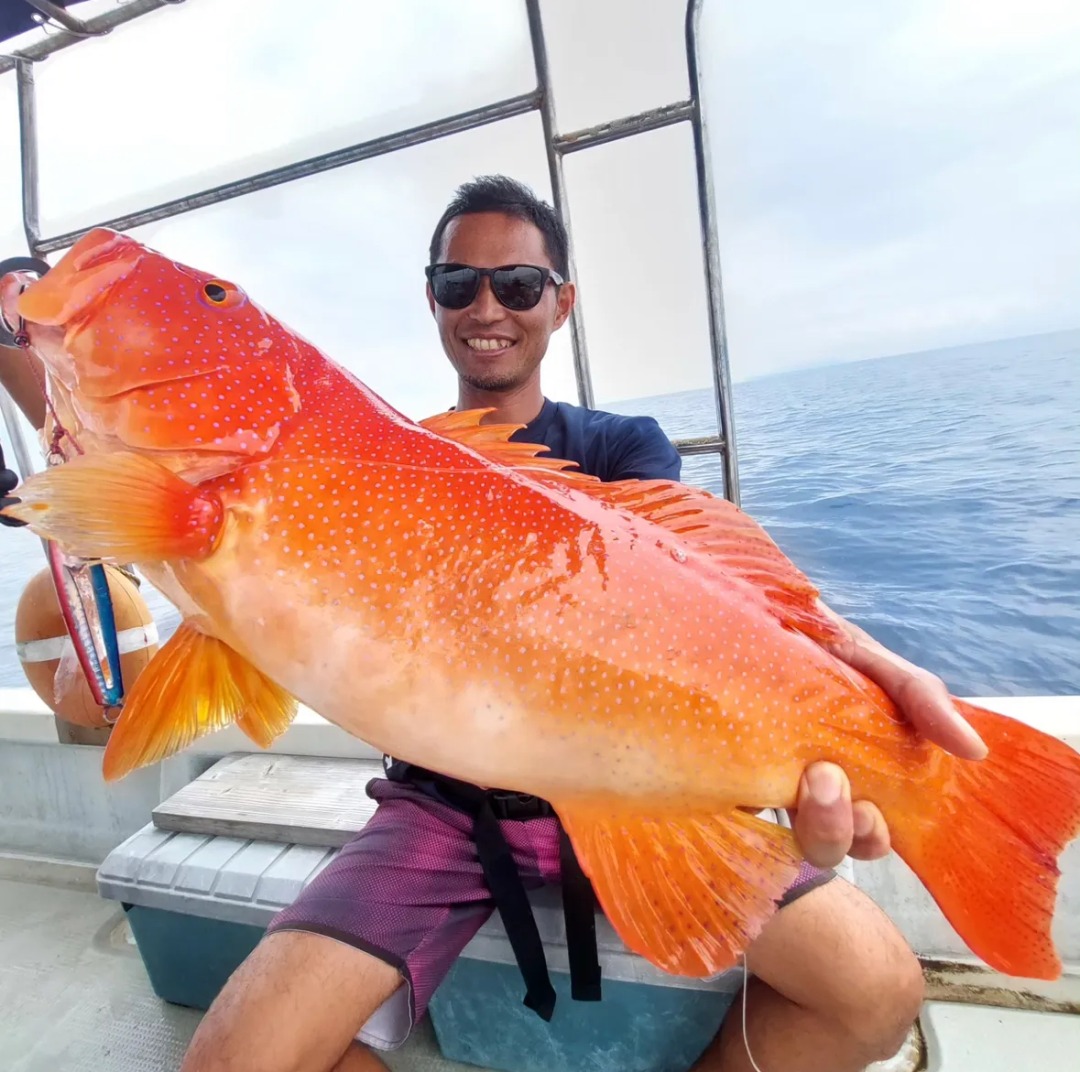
<point x="705" y="523"/>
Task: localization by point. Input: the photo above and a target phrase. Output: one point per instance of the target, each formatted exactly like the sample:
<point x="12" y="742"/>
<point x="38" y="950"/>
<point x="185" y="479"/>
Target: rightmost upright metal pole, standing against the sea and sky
<point x="707" y="209"/>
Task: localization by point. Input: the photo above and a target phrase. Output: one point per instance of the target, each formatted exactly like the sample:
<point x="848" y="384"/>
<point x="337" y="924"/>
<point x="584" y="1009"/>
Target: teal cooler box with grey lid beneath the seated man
<point x="198" y="905"/>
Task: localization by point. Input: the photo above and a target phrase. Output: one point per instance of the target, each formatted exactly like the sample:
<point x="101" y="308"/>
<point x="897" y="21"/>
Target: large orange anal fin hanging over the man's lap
<point x="687" y="892"/>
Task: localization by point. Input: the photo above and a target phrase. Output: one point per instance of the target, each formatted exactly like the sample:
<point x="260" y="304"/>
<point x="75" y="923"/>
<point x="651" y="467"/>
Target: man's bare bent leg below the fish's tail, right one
<point x="835" y="988"/>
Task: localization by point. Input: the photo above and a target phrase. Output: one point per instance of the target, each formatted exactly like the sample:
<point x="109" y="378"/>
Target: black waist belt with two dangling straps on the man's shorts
<point x="489" y="808"/>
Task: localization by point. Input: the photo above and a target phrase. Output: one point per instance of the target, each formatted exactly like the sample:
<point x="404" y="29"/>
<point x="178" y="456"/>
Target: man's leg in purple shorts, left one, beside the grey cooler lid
<point x="361" y="951"/>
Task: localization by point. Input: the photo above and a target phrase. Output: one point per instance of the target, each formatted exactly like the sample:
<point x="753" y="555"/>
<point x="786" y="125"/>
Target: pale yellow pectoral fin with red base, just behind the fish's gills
<point x="123" y="508"/>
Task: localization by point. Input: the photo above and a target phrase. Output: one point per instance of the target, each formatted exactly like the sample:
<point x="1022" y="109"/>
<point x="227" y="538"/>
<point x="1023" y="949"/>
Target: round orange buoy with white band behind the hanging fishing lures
<point x="43" y="643"/>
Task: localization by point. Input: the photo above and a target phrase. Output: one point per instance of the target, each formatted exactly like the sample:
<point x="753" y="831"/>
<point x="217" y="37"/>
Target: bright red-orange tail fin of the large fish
<point x="989" y="851"/>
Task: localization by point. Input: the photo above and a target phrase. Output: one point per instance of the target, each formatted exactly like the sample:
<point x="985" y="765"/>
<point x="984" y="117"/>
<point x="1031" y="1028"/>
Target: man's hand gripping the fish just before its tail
<point x="828" y="825"/>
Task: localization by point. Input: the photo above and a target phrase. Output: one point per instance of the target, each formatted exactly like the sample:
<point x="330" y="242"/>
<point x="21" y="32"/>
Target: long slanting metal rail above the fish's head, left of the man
<point x="314" y="166"/>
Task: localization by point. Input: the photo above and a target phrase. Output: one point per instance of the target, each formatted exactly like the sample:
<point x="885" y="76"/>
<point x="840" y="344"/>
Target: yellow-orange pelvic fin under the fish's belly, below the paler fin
<point x="194" y="686"/>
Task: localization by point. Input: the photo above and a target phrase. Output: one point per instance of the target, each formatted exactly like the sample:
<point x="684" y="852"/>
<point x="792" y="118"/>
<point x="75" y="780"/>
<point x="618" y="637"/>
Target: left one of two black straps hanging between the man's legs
<point x="514" y="904"/>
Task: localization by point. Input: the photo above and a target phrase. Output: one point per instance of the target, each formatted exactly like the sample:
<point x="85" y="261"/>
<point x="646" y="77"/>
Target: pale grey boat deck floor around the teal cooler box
<point x="75" y="998"/>
